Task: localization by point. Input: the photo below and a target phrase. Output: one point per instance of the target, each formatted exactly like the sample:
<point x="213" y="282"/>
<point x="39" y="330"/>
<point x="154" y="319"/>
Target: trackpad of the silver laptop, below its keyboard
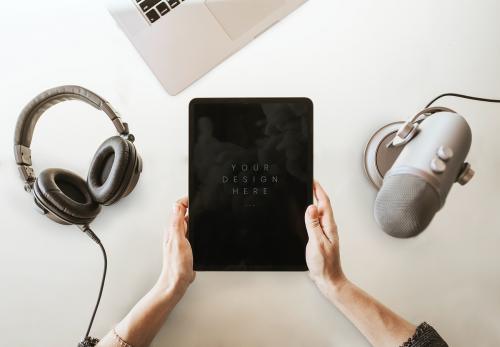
<point x="239" y="16"/>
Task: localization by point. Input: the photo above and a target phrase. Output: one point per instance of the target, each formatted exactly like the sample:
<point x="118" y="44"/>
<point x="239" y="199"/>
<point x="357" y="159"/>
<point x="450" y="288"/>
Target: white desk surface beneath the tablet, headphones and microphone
<point x="363" y="63"/>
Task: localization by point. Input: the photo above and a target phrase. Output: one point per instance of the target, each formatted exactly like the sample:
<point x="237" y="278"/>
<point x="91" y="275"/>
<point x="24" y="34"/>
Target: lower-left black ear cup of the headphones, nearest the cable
<point x="66" y="195"/>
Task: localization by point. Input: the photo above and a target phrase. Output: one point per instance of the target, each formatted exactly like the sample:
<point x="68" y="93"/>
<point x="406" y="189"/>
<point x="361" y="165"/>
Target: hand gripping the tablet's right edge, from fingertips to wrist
<point x="322" y="251"/>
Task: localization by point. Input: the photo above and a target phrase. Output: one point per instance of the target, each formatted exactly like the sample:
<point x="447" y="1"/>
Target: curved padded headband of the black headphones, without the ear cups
<point x="33" y="111"/>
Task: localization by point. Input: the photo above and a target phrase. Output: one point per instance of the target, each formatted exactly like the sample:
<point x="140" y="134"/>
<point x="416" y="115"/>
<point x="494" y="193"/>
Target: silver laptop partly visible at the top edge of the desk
<point x="181" y="40"/>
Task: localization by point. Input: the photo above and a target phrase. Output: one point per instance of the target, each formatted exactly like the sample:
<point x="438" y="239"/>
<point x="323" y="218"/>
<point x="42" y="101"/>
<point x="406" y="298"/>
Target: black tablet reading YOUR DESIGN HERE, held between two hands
<point x="250" y="182"/>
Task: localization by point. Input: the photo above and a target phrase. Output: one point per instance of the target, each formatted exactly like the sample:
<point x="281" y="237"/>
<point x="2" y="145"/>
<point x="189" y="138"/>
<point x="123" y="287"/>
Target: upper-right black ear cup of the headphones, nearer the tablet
<point x="112" y="170"/>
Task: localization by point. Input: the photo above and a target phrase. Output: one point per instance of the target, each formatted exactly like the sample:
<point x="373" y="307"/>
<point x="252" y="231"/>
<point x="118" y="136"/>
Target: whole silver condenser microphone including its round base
<point x="414" y="165"/>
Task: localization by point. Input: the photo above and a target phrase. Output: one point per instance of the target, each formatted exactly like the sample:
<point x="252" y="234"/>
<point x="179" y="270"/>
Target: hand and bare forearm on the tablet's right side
<point x="381" y="326"/>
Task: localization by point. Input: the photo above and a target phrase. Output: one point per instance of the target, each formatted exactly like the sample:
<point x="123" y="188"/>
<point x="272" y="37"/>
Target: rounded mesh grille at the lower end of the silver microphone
<point x="405" y="205"/>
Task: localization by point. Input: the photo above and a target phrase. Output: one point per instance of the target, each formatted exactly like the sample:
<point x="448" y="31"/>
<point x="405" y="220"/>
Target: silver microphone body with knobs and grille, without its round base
<point x="416" y="186"/>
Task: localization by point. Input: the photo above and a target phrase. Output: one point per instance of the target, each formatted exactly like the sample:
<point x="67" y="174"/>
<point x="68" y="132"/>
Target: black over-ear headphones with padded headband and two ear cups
<point x="62" y="195"/>
